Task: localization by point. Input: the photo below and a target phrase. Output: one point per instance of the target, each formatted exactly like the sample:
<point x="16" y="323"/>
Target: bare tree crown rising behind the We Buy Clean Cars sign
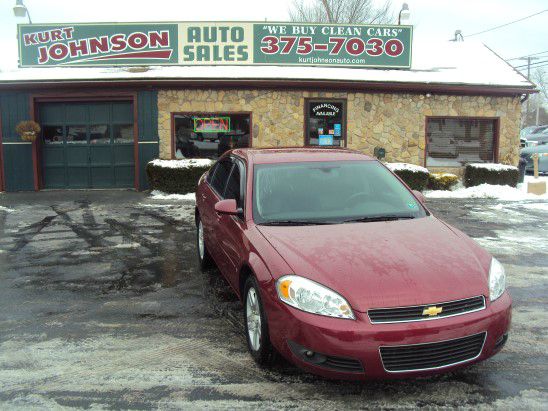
<point x="341" y="11"/>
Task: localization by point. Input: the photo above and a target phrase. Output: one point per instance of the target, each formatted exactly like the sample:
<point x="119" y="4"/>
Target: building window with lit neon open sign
<point x="209" y="134"/>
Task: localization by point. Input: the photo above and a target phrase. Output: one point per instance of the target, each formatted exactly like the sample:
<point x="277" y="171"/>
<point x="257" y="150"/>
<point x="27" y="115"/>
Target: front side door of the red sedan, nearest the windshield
<point x="231" y="229"/>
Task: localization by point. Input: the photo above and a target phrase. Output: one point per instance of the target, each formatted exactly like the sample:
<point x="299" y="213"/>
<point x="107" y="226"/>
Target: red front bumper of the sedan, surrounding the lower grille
<point x="294" y="333"/>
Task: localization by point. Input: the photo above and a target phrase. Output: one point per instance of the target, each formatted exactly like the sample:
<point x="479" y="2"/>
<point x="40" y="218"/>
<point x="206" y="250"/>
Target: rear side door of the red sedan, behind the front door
<point x="210" y="219"/>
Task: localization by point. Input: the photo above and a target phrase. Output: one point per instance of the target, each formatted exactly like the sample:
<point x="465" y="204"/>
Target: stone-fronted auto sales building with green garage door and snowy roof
<point x="110" y="98"/>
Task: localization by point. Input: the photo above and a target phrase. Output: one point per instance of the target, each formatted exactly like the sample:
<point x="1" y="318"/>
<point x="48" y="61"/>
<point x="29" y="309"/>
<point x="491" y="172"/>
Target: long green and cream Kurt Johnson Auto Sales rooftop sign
<point x="220" y="43"/>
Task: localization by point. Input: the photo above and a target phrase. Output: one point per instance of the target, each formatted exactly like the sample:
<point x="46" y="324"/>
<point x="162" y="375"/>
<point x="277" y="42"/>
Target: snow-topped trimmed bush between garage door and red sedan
<point x="176" y="176"/>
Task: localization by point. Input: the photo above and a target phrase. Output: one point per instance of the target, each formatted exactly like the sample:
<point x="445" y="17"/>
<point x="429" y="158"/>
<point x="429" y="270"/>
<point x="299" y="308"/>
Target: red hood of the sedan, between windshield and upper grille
<point x="384" y="264"/>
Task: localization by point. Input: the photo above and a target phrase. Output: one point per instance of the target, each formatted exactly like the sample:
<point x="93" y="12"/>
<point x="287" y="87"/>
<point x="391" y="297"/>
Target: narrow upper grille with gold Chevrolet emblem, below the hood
<point x="416" y="312"/>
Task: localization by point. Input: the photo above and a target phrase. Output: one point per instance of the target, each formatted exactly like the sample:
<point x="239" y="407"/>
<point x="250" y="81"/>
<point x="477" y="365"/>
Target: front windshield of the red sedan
<point x="330" y="192"/>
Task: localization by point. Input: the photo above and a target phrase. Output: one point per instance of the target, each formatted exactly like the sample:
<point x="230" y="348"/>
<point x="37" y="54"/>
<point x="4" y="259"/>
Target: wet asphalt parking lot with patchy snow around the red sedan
<point x="102" y="306"/>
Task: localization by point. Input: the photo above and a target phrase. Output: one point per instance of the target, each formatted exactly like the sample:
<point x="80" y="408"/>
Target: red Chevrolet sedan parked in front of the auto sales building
<point x="343" y="270"/>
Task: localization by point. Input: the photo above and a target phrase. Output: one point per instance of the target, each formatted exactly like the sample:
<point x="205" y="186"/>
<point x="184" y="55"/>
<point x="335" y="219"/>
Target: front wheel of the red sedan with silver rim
<point x="258" y="344"/>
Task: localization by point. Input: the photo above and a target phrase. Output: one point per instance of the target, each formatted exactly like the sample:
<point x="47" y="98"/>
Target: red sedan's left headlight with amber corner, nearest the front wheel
<point x="309" y="296"/>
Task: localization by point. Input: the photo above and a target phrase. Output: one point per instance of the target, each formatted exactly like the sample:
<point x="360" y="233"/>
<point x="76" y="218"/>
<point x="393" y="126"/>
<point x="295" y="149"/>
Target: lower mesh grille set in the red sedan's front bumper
<point x="432" y="355"/>
